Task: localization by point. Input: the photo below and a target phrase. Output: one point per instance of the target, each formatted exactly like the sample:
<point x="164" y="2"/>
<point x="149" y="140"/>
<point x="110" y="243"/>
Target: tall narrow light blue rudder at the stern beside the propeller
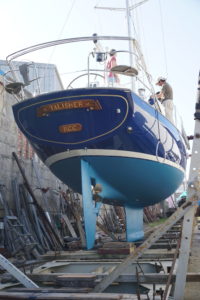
<point x="90" y="207"/>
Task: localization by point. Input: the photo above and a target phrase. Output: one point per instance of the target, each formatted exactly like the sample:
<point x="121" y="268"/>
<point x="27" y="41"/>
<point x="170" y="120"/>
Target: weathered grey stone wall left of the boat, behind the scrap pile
<point x="11" y="140"/>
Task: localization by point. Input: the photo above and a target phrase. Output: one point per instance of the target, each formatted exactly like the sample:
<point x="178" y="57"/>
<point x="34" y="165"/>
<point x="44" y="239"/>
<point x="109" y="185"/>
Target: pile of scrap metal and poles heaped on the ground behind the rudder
<point x="28" y="230"/>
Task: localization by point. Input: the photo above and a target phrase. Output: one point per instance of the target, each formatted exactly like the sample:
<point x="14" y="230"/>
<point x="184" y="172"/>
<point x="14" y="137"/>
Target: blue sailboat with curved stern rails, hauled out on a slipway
<point x="103" y="140"/>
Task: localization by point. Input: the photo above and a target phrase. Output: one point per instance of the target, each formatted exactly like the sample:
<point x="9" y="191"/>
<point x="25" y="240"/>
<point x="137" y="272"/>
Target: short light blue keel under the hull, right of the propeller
<point x="134" y="224"/>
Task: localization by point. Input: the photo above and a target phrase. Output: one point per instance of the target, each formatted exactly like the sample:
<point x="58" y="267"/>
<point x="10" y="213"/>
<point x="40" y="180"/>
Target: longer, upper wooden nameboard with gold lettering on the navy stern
<point x="65" y="105"/>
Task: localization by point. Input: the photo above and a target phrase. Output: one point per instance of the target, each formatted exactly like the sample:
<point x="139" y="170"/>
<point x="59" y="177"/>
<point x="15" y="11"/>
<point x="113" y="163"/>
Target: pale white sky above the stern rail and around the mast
<point x="168" y="31"/>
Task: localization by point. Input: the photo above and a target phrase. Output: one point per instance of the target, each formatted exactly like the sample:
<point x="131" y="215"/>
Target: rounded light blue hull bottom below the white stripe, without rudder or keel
<point x="129" y="181"/>
